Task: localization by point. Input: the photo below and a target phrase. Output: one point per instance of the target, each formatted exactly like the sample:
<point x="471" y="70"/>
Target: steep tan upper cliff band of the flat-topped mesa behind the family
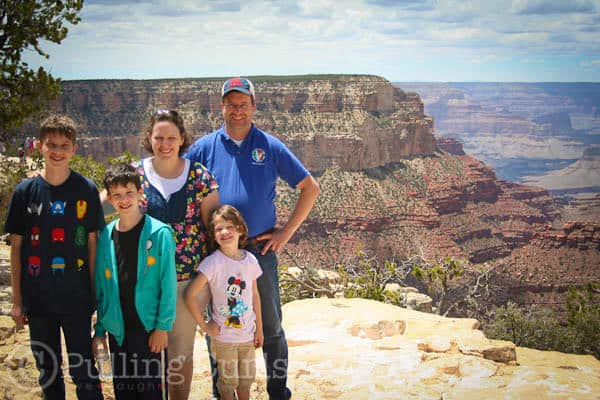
<point x="353" y="122"/>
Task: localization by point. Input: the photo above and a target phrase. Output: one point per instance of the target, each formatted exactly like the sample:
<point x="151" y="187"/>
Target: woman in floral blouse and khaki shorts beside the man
<point x="182" y="194"/>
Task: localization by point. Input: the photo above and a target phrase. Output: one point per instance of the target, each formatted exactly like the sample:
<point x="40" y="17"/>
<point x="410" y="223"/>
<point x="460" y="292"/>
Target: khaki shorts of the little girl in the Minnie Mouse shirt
<point x="236" y="365"/>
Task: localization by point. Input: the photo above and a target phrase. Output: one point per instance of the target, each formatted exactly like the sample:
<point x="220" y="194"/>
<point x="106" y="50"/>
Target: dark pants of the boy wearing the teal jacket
<point x="137" y="372"/>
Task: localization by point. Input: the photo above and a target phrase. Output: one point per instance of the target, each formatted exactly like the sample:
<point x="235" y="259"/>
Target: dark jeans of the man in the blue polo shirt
<point x="275" y="349"/>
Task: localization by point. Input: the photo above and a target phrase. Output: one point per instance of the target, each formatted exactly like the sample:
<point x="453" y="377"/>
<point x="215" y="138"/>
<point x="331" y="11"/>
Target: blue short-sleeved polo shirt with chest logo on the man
<point x="247" y="174"/>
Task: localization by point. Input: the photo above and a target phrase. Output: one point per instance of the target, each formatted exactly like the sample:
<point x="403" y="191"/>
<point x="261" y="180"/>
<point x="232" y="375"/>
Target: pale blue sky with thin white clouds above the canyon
<point x="400" y="40"/>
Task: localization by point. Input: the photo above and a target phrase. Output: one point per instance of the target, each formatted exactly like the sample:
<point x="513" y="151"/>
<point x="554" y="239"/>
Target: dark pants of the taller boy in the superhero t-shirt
<point x="44" y="332"/>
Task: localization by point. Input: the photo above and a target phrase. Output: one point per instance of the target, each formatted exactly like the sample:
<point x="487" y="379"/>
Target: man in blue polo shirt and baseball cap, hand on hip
<point x="246" y="163"/>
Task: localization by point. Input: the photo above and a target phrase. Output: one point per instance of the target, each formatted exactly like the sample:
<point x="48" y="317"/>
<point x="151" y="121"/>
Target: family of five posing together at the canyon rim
<point x="194" y="246"/>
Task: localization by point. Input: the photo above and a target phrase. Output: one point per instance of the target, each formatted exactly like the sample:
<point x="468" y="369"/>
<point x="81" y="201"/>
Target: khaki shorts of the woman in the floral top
<point x="181" y="338"/>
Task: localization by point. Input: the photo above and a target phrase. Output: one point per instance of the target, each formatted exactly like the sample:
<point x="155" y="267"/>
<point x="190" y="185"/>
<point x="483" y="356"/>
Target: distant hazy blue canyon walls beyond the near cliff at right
<point x="520" y="129"/>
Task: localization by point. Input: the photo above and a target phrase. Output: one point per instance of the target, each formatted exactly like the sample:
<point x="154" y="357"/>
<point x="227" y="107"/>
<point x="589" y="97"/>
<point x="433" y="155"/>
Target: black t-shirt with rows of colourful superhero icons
<point x="54" y="222"/>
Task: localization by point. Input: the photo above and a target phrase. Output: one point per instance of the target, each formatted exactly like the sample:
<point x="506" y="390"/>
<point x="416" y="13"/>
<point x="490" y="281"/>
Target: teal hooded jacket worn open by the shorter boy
<point x="156" y="286"/>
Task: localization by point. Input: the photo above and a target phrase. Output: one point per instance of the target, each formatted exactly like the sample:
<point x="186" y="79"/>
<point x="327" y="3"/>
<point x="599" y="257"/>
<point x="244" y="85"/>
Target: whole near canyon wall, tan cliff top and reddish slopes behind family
<point x="388" y="187"/>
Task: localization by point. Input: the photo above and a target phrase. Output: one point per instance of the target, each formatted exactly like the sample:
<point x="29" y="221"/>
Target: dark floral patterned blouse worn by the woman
<point x="182" y="212"/>
